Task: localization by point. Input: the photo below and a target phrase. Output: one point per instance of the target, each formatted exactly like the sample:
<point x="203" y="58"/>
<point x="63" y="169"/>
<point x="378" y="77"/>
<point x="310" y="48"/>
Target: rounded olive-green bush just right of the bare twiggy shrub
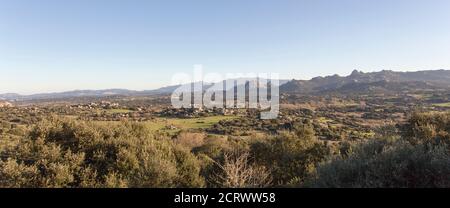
<point x="291" y="156"/>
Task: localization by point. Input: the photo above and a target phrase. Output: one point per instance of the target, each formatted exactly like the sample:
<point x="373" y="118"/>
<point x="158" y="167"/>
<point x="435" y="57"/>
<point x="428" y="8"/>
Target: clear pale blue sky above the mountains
<point x="58" y="45"/>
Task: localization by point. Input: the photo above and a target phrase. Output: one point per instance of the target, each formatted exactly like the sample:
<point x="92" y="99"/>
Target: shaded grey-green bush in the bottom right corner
<point x="384" y="164"/>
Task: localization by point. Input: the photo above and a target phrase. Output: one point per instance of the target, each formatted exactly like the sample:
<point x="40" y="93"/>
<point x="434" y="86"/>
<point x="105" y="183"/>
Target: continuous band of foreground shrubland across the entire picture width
<point x="62" y="152"/>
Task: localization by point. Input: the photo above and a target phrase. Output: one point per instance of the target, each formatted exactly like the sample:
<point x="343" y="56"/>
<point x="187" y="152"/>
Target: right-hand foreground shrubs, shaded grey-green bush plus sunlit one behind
<point x="418" y="158"/>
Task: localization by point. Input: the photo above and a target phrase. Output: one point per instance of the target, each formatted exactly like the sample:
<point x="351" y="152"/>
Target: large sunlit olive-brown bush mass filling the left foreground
<point x="69" y="153"/>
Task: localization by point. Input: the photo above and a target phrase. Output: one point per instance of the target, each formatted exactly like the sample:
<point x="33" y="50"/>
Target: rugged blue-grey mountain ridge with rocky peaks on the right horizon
<point x="360" y="82"/>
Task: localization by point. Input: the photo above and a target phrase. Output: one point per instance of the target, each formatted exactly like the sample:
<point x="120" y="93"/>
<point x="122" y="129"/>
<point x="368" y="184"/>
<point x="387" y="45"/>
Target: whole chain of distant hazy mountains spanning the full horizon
<point x="356" y="82"/>
